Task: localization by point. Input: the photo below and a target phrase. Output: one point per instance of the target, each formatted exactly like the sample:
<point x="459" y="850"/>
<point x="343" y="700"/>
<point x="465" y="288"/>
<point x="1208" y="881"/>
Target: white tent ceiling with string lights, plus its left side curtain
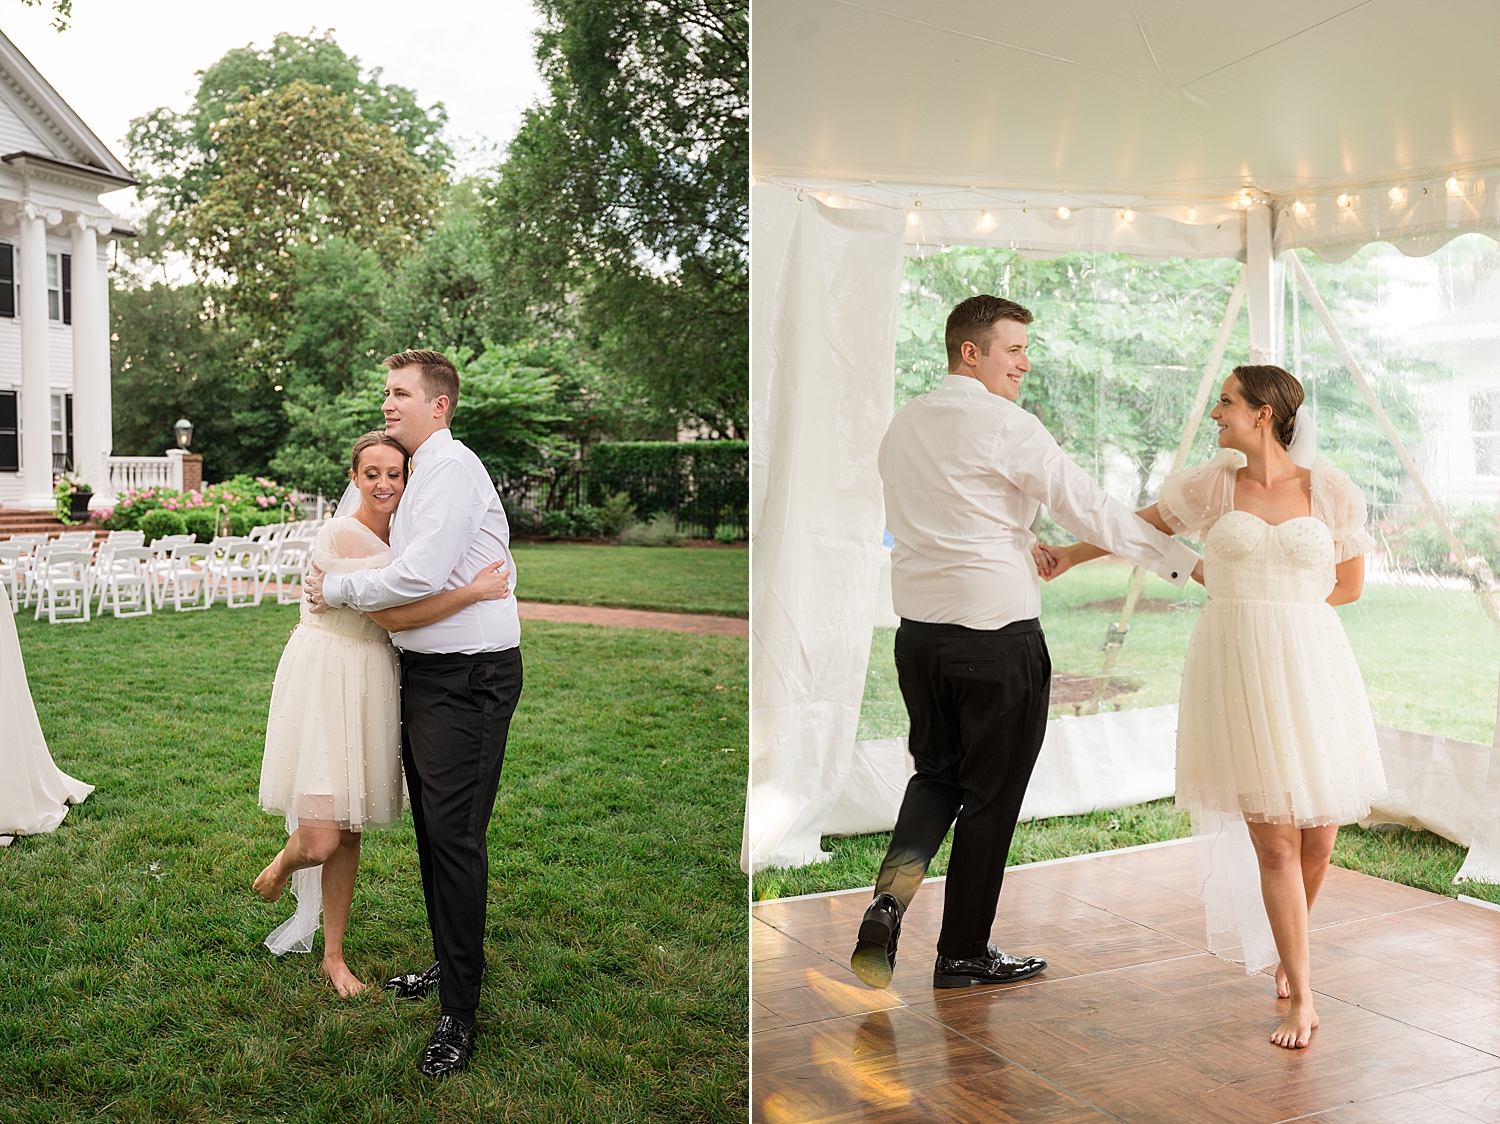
<point x="1154" y="128"/>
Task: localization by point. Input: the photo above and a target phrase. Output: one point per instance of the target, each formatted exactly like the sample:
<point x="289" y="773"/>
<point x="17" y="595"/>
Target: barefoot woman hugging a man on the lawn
<point x="332" y="763"/>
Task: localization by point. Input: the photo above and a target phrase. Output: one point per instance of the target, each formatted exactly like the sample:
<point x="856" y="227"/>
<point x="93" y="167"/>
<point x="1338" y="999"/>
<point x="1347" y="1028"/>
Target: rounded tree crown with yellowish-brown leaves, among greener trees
<point x="301" y="166"/>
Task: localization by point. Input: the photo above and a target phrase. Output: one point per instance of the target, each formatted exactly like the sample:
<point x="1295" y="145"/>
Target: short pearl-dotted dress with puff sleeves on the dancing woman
<point x="1274" y="724"/>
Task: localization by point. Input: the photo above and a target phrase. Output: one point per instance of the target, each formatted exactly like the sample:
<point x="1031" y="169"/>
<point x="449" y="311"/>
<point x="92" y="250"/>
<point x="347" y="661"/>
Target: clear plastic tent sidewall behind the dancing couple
<point x="1120" y="350"/>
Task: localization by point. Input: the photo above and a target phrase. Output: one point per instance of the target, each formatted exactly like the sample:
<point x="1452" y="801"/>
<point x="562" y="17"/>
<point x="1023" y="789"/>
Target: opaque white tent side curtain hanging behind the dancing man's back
<point x="824" y="295"/>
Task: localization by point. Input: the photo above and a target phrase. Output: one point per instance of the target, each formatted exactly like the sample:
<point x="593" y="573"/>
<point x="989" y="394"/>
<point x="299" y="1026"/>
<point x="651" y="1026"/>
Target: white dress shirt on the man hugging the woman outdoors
<point x="448" y="527"/>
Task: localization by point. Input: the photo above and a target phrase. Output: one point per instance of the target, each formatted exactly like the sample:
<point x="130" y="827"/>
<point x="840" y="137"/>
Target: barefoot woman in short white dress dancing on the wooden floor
<point x="1274" y="727"/>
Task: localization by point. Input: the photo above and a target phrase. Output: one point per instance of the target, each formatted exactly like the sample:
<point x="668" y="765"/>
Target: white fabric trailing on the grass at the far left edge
<point x="37" y="793"/>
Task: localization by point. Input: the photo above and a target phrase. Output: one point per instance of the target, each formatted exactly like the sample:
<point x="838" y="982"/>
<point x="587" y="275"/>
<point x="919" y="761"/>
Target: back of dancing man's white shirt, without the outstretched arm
<point x="962" y="548"/>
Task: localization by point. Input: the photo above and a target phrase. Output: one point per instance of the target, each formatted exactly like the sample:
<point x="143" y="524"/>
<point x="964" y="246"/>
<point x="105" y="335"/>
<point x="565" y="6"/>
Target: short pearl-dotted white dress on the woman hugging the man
<point x="334" y="732"/>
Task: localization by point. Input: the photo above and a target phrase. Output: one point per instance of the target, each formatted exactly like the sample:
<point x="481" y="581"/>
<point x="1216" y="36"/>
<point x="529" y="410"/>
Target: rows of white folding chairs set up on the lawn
<point x="70" y="582"/>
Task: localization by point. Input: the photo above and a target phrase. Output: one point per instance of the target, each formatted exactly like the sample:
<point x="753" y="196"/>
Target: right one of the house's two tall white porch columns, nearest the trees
<point x="91" y="361"/>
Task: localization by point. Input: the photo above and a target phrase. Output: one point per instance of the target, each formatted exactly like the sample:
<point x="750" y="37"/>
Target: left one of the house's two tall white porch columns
<point x="37" y="394"/>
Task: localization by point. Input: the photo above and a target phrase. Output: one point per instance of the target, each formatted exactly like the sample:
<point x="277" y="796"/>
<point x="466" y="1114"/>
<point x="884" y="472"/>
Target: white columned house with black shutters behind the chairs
<point x="55" y="290"/>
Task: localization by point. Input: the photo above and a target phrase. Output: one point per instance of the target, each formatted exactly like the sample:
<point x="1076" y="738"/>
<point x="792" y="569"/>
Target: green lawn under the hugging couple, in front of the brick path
<point x="136" y="988"/>
